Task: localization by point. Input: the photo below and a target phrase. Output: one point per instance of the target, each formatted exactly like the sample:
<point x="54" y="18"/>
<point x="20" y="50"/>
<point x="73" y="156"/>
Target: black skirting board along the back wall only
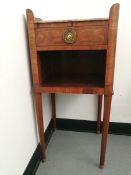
<point x="90" y="126"/>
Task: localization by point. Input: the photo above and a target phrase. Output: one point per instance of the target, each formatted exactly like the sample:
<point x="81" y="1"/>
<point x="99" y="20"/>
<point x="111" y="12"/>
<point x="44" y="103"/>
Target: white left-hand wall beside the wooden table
<point x="18" y="131"/>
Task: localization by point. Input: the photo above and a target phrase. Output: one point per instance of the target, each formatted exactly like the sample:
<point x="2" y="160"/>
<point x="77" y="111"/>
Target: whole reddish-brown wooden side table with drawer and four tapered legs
<point x="75" y="56"/>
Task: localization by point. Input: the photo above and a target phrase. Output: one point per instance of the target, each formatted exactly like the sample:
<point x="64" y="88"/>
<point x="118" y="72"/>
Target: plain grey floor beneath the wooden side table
<point x="77" y="153"/>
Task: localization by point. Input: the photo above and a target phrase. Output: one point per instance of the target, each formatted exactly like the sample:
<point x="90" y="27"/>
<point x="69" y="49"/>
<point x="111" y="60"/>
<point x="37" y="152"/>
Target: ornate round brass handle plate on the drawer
<point x="69" y="36"/>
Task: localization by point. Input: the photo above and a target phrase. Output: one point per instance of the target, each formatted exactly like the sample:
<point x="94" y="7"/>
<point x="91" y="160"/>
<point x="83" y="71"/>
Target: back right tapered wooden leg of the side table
<point x="99" y="114"/>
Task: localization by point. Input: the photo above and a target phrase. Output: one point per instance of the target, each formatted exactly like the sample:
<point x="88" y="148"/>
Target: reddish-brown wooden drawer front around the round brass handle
<point x="91" y="35"/>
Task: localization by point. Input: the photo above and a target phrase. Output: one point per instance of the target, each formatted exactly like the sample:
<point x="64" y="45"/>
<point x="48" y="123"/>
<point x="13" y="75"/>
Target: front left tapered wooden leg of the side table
<point x="39" y="112"/>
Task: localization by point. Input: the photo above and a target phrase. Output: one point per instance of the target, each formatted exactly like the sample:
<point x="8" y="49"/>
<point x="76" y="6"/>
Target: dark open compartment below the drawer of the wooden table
<point x="73" y="68"/>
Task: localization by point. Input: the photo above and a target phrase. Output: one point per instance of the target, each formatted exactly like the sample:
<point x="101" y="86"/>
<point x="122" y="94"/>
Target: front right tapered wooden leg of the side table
<point x="105" y="127"/>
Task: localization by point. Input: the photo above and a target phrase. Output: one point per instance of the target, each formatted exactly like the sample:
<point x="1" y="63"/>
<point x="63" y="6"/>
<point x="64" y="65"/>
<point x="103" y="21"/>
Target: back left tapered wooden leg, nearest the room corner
<point x="53" y="104"/>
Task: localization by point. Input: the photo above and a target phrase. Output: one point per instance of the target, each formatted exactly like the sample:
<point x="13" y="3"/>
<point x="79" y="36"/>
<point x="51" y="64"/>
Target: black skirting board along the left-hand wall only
<point x="36" y="158"/>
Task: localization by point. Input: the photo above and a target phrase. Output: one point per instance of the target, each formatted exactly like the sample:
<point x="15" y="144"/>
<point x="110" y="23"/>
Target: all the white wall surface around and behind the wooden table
<point x="18" y="131"/>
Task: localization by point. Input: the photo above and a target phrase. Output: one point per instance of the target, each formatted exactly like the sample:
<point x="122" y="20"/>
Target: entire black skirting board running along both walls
<point x="73" y="125"/>
